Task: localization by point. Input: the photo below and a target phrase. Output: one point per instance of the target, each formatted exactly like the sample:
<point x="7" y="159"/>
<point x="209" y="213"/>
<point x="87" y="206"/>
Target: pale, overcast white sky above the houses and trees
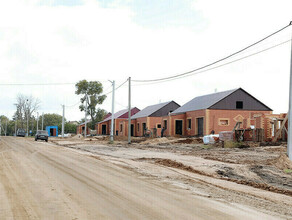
<point x="64" y="41"/>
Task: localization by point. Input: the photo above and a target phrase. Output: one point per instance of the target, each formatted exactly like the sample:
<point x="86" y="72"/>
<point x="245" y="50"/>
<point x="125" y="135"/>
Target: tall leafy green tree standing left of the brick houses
<point x="92" y="95"/>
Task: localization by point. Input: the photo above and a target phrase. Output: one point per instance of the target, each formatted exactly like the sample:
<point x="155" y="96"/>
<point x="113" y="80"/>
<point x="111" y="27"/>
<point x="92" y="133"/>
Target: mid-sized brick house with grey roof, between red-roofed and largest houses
<point x="150" y="118"/>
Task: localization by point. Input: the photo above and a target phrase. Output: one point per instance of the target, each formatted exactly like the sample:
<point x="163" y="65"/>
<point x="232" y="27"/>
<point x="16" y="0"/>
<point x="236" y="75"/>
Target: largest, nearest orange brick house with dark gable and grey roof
<point x="215" y="112"/>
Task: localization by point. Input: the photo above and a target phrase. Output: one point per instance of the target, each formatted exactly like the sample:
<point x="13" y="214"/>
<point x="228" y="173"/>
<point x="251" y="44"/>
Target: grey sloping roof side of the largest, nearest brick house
<point x="203" y="102"/>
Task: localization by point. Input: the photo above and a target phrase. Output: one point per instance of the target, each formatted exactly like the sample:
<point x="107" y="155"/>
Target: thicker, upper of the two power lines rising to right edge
<point x="217" y="61"/>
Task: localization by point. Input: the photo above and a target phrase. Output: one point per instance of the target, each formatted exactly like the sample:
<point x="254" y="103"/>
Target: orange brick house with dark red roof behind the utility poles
<point x="103" y="127"/>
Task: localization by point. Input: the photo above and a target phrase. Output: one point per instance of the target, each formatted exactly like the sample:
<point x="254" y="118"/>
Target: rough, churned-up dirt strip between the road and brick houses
<point x="265" y="167"/>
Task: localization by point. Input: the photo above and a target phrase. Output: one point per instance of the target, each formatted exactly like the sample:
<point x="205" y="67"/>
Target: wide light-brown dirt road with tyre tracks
<point x="40" y="180"/>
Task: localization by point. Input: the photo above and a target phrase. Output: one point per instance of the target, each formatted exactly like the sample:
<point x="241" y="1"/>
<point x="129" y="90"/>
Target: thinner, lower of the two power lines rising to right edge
<point x="224" y="64"/>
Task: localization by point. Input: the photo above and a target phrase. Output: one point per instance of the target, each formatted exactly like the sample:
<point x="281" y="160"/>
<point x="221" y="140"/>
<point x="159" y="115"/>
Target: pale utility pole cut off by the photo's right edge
<point x="289" y="144"/>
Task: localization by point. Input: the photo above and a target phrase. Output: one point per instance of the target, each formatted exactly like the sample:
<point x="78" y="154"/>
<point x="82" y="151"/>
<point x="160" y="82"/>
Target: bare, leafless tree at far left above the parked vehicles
<point x="26" y="106"/>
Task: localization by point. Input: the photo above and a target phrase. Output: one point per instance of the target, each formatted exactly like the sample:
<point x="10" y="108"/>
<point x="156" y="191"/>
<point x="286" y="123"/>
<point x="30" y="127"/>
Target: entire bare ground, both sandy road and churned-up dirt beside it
<point x="173" y="178"/>
